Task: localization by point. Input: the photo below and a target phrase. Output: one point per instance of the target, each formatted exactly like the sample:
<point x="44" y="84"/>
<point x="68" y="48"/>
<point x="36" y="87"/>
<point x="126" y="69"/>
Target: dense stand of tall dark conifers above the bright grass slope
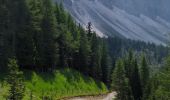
<point x="43" y="36"/>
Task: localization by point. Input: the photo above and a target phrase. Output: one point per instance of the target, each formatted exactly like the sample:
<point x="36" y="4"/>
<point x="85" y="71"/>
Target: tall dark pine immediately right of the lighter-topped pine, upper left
<point x="49" y="35"/>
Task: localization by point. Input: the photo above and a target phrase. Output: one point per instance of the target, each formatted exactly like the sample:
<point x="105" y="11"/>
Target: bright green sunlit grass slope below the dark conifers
<point x="62" y="83"/>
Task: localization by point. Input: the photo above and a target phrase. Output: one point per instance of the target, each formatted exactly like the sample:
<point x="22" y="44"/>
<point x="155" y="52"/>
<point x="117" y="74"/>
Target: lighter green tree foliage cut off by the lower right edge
<point x="160" y="89"/>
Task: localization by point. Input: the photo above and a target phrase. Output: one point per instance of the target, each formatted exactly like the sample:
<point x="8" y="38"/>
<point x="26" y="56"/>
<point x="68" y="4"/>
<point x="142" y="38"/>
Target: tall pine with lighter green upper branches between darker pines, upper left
<point x="35" y="10"/>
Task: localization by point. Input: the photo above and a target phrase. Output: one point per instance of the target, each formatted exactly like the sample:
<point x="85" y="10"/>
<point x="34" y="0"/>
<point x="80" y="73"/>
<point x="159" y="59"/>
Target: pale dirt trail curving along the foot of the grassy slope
<point x="109" y="96"/>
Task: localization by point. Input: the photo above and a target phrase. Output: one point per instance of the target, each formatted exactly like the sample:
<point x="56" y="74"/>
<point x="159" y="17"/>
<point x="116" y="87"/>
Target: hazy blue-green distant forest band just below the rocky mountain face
<point x="119" y="47"/>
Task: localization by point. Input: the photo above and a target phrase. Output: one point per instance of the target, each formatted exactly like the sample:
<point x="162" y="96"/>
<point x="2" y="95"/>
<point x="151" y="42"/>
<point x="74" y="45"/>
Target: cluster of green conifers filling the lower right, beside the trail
<point x="142" y="85"/>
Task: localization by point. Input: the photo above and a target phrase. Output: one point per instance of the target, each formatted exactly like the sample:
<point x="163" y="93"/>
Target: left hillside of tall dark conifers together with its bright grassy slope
<point x="40" y="36"/>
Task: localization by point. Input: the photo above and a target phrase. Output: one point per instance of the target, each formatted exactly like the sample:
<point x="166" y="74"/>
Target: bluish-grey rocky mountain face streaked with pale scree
<point x="145" y="20"/>
